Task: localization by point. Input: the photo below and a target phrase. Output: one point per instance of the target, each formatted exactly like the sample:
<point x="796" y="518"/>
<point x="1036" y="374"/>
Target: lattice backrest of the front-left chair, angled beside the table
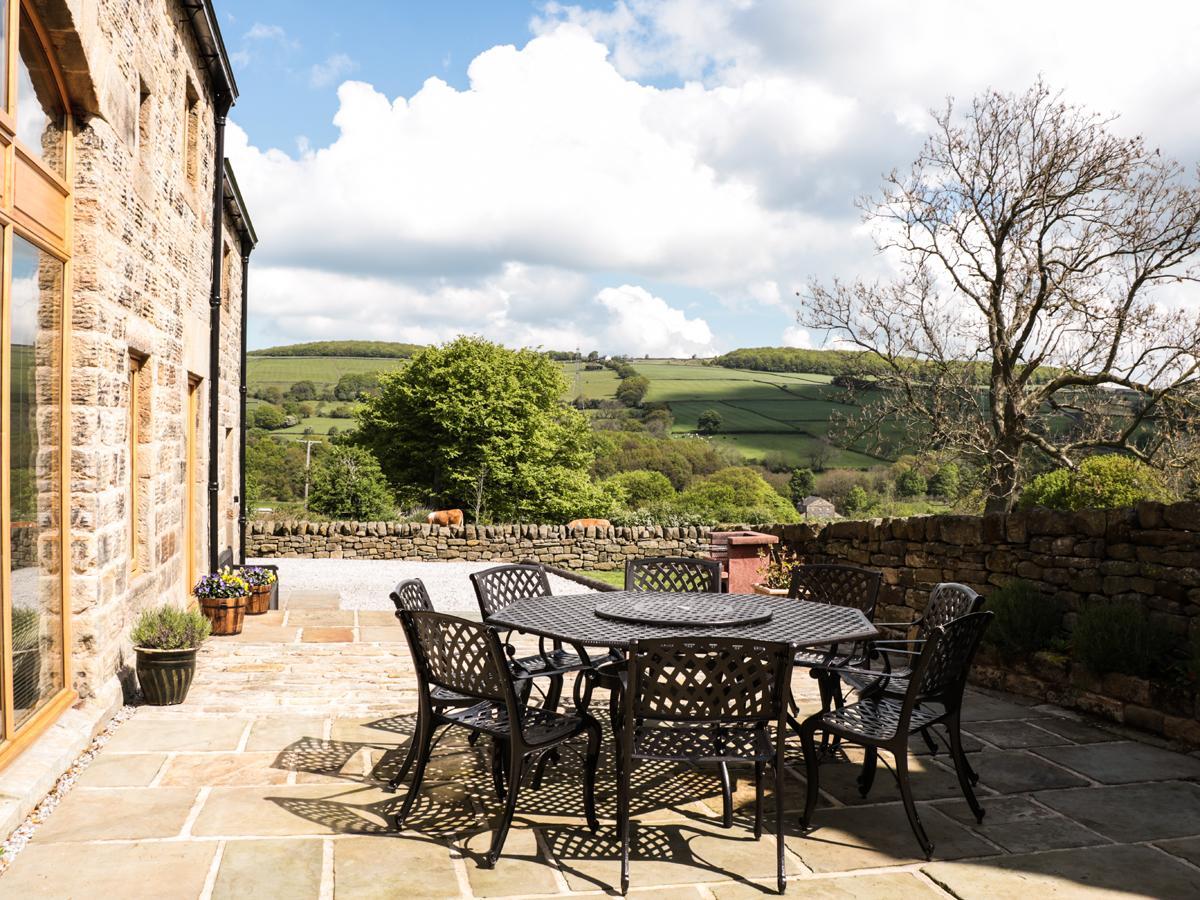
<point x="458" y="655"/>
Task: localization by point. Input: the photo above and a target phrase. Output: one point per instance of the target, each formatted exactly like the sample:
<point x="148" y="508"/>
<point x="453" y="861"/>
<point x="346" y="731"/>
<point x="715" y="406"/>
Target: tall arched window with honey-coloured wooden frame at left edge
<point x="35" y="315"/>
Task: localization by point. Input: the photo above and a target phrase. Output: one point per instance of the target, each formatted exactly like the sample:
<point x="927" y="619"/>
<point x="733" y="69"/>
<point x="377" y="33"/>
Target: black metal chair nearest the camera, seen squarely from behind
<point x="705" y="701"/>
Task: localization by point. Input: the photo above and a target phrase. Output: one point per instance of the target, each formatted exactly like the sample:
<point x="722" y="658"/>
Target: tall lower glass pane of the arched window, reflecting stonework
<point x="35" y="547"/>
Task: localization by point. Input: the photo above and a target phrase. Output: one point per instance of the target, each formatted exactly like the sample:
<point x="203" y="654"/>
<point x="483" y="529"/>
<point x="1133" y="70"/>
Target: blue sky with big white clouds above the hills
<point x="644" y="177"/>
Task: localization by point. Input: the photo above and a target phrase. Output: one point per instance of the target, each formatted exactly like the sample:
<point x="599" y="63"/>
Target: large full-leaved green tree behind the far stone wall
<point x="475" y="425"/>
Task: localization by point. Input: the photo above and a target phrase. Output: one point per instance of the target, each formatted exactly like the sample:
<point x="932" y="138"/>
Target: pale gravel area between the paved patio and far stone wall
<point x="365" y="584"/>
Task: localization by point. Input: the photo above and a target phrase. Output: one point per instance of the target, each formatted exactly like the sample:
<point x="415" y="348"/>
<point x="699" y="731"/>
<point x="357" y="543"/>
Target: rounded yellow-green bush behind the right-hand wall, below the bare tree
<point x="1108" y="482"/>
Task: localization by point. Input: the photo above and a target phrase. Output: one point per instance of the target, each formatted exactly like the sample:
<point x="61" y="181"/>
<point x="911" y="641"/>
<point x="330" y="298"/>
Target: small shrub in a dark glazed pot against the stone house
<point x="166" y="641"/>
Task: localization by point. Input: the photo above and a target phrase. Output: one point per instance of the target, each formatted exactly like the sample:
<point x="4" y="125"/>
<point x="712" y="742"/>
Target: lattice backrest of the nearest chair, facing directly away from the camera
<point x="691" y="680"/>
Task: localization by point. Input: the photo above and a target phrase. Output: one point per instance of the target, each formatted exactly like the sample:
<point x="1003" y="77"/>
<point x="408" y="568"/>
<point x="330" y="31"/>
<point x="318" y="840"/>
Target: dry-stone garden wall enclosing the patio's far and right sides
<point x="1149" y="556"/>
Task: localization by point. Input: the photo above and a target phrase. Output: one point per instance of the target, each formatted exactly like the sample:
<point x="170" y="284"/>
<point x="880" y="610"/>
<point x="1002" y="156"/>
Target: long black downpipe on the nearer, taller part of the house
<point x="224" y="101"/>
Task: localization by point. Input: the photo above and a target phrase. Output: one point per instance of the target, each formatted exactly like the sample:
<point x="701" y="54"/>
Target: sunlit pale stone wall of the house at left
<point x="143" y="236"/>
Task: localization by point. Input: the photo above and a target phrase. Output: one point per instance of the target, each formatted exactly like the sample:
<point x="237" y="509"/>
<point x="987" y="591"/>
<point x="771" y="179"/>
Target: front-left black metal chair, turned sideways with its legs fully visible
<point x="469" y="659"/>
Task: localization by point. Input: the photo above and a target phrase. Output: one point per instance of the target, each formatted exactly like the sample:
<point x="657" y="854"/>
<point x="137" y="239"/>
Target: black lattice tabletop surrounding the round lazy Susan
<point x="573" y="619"/>
